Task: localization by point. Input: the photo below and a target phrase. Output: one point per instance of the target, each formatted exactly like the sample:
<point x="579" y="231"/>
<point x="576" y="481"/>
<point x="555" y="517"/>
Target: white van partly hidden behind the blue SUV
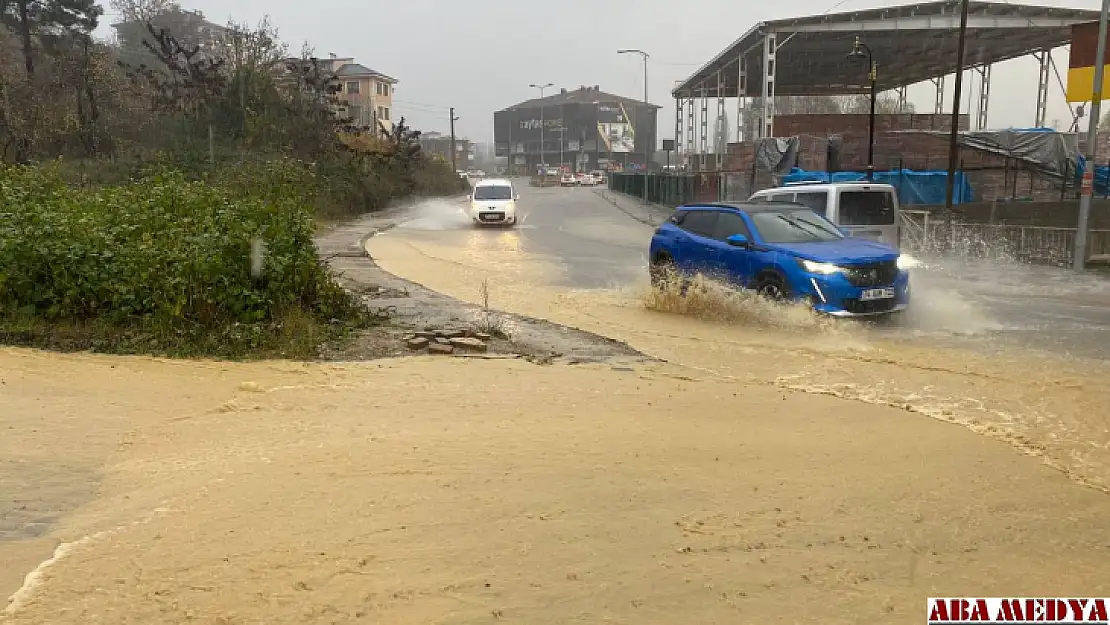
<point x="864" y="210"/>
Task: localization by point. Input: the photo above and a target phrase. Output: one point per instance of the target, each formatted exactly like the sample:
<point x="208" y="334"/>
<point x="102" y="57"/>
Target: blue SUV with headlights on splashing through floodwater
<point x="782" y="251"/>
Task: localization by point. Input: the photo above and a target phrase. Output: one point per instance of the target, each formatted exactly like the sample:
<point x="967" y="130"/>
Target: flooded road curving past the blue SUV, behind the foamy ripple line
<point x="962" y="357"/>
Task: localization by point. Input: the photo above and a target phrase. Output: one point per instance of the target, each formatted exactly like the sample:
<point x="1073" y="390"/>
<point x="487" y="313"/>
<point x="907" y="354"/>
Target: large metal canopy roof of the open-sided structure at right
<point x="911" y="44"/>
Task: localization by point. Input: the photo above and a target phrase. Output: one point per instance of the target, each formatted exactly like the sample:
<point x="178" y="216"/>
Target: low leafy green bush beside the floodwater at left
<point x="166" y="254"/>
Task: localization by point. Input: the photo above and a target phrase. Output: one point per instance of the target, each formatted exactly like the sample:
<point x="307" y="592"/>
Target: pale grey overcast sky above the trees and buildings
<point x="481" y="56"/>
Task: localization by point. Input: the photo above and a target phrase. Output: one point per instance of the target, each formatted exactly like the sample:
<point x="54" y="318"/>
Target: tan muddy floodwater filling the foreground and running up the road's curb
<point x="765" y="459"/>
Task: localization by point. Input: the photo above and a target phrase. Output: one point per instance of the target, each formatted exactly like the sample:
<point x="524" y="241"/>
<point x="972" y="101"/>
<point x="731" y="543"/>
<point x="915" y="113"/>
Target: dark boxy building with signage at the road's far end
<point x="581" y="130"/>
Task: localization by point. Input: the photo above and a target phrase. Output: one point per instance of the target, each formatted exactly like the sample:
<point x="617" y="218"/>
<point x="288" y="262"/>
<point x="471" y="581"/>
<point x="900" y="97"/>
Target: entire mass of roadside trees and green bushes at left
<point x="160" y="195"/>
